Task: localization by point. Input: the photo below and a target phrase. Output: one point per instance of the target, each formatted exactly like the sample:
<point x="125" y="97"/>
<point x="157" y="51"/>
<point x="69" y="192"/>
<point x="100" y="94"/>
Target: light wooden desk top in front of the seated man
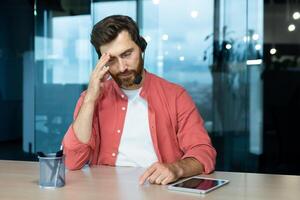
<point x="19" y="181"/>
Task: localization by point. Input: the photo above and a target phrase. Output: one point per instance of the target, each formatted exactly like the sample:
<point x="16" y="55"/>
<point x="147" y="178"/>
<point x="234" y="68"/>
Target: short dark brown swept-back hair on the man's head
<point x="109" y="28"/>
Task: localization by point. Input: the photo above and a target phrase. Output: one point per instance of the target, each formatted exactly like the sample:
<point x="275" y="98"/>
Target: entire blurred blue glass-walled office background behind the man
<point x="238" y="59"/>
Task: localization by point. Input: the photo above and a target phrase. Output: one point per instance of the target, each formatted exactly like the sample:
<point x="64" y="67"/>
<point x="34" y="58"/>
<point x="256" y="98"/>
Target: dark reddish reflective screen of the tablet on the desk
<point x="201" y="184"/>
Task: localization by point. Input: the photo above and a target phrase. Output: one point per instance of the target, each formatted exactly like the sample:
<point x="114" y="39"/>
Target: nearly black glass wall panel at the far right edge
<point x="281" y="87"/>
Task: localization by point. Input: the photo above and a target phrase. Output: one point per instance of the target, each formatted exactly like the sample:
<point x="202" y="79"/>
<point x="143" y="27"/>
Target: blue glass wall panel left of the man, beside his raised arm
<point x="62" y="64"/>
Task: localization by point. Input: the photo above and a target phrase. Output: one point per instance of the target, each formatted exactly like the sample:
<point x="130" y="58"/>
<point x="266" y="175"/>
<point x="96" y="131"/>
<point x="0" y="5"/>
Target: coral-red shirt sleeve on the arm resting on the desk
<point x="192" y="136"/>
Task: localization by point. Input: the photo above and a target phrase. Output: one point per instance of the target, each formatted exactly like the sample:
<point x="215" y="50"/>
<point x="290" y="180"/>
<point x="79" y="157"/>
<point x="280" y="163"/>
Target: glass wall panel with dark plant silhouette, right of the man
<point x="236" y="83"/>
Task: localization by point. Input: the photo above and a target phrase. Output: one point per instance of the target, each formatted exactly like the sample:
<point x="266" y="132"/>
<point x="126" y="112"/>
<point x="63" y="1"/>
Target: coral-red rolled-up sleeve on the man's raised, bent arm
<point x="77" y="154"/>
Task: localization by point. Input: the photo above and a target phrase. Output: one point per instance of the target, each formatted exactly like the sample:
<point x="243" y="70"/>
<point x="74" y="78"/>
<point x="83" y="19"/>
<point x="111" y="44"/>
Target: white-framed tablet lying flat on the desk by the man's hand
<point x="198" y="184"/>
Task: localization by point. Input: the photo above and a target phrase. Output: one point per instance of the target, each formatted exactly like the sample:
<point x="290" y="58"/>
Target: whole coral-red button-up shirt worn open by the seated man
<point x="176" y="127"/>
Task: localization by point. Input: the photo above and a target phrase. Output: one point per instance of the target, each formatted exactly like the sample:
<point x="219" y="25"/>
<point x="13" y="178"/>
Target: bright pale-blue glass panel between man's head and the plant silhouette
<point x="178" y="49"/>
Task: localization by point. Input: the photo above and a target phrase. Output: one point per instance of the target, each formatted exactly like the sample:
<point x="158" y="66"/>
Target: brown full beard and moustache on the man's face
<point x="128" y="80"/>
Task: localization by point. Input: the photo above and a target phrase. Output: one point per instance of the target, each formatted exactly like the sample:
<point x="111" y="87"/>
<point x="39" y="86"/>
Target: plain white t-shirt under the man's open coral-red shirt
<point x="136" y="146"/>
